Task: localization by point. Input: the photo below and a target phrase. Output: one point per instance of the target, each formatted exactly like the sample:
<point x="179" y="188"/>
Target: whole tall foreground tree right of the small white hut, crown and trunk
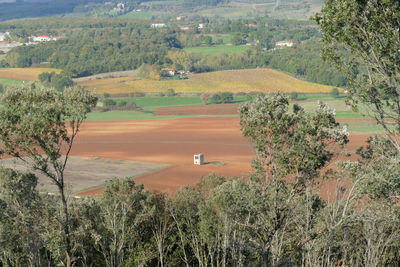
<point x="291" y="149"/>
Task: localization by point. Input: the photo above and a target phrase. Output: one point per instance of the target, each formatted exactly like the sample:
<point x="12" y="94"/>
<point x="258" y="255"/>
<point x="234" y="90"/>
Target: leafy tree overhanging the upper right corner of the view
<point x="367" y="32"/>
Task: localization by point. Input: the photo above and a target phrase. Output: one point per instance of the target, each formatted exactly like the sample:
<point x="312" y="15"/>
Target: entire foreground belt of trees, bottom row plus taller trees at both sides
<point x="273" y="217"/>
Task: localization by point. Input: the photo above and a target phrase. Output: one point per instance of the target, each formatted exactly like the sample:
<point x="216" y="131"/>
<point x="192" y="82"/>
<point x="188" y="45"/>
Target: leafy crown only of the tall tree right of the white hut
<point x="290" y="143"/>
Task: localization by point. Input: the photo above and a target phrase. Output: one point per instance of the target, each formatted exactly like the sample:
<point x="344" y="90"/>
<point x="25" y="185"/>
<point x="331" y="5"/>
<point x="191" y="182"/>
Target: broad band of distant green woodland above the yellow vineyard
<point x="90" y="47"/>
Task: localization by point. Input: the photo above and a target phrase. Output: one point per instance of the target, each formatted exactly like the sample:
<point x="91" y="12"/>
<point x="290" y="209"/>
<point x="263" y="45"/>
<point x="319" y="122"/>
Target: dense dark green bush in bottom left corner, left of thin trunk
<point x="21" y="206"/>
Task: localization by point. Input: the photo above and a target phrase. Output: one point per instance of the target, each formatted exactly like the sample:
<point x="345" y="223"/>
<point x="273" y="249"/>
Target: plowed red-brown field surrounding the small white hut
<point x="173" y="142"/>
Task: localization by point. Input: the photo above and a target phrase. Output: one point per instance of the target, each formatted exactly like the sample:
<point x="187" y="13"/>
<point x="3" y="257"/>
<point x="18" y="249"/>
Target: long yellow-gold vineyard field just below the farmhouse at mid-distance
<point x="250" y="80"/>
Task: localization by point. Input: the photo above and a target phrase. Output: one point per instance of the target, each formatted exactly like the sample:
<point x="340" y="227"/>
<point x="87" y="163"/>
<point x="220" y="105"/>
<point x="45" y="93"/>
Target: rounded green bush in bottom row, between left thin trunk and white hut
<point x="122" y="212"/>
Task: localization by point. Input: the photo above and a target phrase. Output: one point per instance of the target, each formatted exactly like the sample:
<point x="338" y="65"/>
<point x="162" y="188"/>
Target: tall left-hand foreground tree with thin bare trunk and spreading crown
<point x="39" y="126"/>
